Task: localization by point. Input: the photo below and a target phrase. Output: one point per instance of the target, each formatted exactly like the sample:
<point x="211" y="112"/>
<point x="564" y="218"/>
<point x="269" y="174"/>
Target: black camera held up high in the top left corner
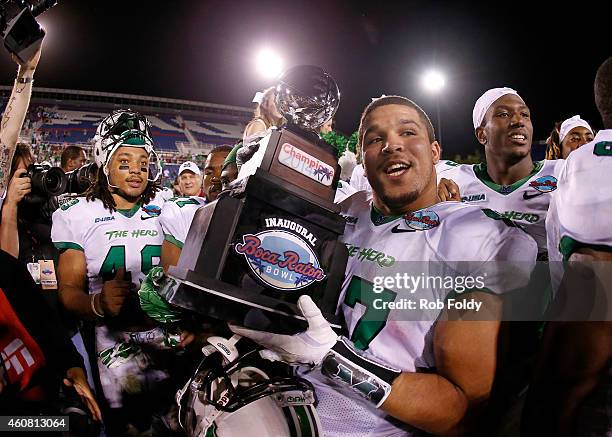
<point x="18" y="27"/>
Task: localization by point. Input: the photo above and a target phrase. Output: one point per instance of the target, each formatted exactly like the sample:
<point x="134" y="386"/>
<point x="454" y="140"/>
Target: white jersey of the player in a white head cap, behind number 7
<point x="525" y="202"/>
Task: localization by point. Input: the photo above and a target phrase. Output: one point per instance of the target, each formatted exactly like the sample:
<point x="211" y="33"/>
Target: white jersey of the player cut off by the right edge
<point x="582" y="205"/>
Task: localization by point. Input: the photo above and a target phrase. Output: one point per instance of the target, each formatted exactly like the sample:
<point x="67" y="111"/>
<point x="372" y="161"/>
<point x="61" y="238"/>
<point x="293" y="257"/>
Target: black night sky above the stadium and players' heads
<point x="205" y="50"/>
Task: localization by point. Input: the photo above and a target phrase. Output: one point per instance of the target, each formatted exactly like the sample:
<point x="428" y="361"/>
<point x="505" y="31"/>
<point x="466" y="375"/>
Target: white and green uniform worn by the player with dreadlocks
<point x="111" y="240"/>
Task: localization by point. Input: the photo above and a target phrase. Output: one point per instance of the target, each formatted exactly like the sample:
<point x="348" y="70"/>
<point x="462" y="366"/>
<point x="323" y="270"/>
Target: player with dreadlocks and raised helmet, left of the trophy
<point x="109" y="239"/>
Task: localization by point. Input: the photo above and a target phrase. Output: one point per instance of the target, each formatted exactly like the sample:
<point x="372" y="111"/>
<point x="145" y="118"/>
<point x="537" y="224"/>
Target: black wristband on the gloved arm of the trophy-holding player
<point x="370" y="379"/>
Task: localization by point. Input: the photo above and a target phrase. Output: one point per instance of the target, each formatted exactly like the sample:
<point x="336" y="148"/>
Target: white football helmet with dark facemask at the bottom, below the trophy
<point x="242" y="397"/>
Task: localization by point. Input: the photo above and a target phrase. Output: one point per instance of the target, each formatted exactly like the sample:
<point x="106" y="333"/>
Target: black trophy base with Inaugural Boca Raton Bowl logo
<point x="249" y="257"/>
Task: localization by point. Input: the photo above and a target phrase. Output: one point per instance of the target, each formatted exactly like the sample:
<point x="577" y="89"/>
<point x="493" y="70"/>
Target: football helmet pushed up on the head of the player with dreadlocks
<point x="125" y="127"/>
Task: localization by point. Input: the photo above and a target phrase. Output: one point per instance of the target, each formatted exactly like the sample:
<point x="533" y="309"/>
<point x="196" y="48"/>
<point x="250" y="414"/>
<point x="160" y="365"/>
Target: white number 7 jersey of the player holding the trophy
<point x="426" y="245"/>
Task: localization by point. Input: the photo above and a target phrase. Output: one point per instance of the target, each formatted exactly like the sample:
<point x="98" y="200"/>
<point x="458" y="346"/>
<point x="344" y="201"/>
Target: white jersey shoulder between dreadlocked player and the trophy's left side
<point x="176" y="217"/>
